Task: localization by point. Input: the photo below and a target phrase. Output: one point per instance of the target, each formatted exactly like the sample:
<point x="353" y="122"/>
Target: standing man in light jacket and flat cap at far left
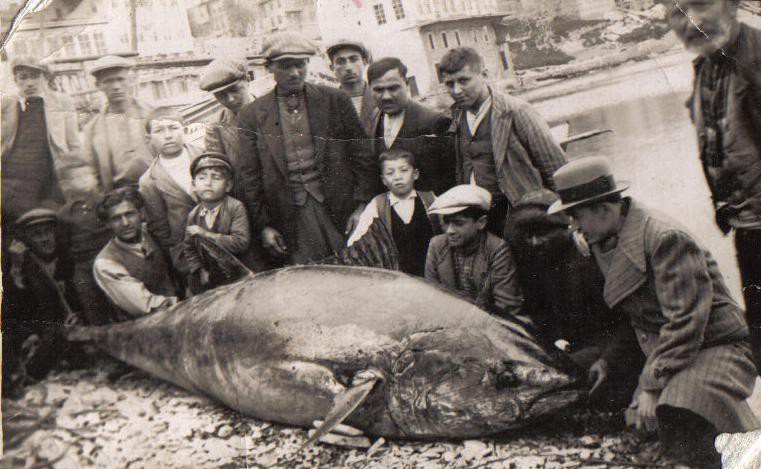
<point x="41" y="151"/>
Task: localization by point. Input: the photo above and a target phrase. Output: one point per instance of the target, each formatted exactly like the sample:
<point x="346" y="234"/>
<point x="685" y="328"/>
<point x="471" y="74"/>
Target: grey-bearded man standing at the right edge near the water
<point x="725" y="110"/>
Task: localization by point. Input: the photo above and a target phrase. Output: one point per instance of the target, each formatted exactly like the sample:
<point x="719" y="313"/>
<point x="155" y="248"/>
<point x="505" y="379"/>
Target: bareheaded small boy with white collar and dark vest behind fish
<point x="402" y="210"/>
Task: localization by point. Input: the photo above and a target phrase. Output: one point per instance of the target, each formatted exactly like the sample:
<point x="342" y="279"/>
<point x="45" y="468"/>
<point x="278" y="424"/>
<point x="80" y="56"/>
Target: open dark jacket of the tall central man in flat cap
<point x="348" y="172"/>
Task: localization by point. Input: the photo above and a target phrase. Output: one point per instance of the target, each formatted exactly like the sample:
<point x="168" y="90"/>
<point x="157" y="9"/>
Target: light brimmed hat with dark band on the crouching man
<point x="582" y="181"/>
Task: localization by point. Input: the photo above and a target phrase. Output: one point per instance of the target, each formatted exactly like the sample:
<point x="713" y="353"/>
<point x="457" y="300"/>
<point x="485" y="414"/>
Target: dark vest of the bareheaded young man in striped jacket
<point x="478" y="155"/>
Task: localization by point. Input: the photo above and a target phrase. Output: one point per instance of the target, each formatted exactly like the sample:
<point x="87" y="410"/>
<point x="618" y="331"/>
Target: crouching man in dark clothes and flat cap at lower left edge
<point x="38" y="296"/>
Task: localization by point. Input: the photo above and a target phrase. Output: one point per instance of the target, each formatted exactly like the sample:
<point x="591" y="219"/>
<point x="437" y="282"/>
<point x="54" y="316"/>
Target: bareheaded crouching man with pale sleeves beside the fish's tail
<point x="132" y="270"/>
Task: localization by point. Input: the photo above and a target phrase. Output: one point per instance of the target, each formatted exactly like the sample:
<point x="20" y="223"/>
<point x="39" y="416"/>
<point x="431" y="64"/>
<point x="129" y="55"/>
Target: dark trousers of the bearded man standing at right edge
<point x="748" y="248"/>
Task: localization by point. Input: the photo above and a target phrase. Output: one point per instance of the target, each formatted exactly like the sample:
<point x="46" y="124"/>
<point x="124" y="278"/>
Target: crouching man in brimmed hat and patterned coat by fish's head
<point x="699" y="369"/>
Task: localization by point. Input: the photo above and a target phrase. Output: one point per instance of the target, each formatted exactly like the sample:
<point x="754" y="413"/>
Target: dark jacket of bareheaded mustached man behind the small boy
<point x="422" y="134"/>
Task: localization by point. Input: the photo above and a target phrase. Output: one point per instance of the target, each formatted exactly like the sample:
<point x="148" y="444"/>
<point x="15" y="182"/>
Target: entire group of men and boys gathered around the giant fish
<point x="118" y="224"/>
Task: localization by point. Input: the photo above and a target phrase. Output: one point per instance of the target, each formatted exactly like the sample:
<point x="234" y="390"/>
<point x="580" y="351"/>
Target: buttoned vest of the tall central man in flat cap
<point x="303" y="174"/>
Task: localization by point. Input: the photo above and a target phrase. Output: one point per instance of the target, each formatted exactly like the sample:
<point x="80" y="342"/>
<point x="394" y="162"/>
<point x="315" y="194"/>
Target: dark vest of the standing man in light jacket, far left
<point x="27" y="170"/>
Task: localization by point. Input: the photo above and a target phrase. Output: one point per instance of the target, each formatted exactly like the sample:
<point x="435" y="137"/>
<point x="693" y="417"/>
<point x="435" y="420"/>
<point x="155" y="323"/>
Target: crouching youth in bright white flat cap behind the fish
<point x="470" y="260"/>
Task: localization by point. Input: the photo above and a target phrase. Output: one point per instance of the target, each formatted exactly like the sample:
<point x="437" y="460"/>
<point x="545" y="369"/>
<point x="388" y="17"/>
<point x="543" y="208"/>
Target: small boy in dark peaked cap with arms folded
<point x="218" y="218"/>
